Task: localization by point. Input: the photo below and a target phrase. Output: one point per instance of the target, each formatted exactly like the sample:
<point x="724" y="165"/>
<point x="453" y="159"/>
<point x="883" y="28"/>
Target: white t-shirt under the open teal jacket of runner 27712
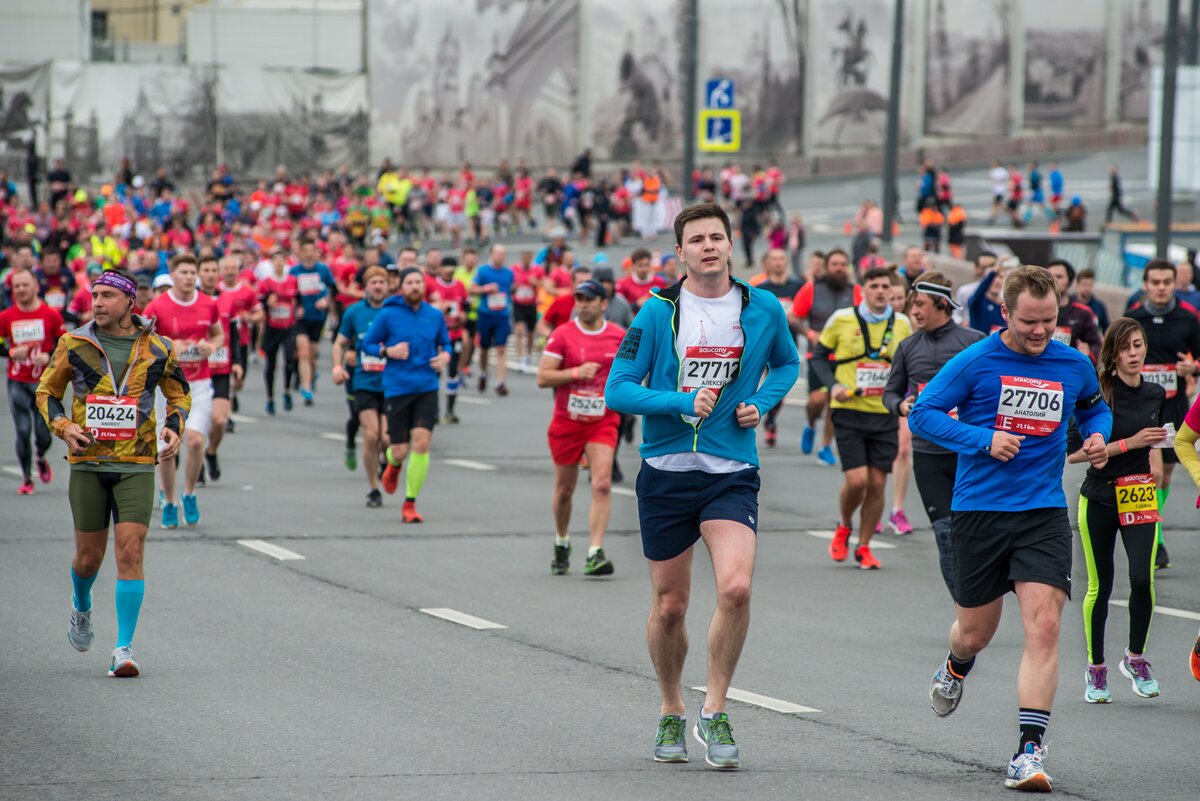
<point x="710" y="347"/>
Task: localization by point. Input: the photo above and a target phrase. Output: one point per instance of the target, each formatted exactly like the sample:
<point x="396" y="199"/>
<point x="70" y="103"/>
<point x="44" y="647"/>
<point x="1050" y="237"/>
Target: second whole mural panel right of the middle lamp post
<point x="1064" y="63"/>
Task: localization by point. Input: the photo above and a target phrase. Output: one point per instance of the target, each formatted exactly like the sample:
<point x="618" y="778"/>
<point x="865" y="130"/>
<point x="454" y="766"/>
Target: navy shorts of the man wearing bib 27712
<point x="673" y="505"/>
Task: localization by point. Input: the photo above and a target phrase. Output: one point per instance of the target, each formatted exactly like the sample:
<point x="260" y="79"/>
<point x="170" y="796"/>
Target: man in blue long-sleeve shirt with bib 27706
<point x="1015" y="394"/>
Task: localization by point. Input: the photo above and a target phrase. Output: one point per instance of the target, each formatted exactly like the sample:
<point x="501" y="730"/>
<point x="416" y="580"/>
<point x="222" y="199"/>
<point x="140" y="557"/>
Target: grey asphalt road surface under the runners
<point x="322" y="678"/>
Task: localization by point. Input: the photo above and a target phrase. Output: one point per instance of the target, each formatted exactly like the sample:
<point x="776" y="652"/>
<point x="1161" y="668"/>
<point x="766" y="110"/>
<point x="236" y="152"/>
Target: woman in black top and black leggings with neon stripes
<point x="1121" y="498"/>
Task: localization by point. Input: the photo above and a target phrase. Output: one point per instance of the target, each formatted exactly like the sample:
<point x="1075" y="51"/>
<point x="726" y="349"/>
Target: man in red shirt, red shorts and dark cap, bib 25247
<point x="577" y="363"/>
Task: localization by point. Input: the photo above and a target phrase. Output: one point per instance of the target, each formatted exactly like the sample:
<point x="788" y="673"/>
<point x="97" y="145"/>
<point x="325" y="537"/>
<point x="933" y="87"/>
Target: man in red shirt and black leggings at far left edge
<point x="29" y="330"/>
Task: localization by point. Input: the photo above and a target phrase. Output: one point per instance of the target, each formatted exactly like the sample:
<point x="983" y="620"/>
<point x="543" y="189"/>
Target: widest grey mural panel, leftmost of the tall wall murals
<point x="477" y="80"/>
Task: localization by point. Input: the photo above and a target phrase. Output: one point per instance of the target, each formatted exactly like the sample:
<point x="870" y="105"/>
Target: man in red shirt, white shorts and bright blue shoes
<point x="191" y="322"/>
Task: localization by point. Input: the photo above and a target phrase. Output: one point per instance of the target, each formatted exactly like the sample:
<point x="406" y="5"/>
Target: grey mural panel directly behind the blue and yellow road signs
<point x="761" y="47"/>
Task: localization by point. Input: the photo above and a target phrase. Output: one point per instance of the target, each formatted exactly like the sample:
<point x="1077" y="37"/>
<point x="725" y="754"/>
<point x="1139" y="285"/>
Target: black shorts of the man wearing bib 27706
<point x="997" y="550"/>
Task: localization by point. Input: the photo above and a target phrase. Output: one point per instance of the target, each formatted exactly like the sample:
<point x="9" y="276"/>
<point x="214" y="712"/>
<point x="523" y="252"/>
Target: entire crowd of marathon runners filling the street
<point x="981" y="394"/>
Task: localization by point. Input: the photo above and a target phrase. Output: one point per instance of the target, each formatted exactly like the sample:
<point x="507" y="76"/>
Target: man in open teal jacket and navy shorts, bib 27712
<point x="718" y="356"/>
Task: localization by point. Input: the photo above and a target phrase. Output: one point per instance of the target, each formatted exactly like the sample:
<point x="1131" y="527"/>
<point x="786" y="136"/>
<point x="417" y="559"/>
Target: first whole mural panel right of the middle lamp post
<point x="967" y="74"/>
